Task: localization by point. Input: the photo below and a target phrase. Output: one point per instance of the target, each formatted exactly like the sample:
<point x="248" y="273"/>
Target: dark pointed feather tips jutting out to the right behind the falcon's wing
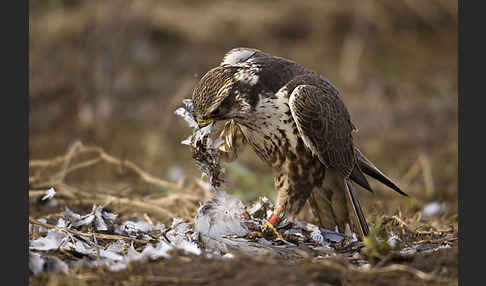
<point x="364" y="165"/>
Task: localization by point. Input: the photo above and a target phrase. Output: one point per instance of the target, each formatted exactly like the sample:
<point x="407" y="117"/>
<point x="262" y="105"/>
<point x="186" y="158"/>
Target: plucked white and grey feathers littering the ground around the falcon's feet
<point x="223" y="225"/>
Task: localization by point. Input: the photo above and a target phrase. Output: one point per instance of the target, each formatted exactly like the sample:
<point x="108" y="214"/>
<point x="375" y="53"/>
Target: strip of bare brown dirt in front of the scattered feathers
<point x="252" y="270"/>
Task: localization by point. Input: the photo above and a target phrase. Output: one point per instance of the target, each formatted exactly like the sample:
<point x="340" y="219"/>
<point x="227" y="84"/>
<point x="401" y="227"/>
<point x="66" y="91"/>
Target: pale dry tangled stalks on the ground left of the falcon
<point x="182" y="201"/>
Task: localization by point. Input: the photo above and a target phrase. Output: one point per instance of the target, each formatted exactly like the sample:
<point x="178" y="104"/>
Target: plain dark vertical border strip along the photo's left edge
<point x="14" y="124"/>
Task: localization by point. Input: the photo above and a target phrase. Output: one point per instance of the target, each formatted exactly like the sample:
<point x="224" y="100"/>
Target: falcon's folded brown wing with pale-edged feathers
<point x="324" y="124"/>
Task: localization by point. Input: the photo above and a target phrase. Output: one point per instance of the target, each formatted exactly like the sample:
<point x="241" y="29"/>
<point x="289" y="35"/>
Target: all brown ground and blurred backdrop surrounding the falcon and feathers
<point x="110" y="74"/>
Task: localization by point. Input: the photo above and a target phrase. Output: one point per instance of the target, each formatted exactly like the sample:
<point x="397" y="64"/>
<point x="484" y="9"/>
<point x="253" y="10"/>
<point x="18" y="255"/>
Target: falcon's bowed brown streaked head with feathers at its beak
<point x="223" y="93"/>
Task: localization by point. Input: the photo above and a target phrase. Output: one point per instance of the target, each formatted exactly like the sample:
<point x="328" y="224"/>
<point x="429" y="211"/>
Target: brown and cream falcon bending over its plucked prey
<point x="296" y="122"/>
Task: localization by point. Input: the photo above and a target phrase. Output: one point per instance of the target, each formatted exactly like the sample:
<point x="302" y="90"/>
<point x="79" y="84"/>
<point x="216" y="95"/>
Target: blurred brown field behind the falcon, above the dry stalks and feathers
<point x="111" y="74"/>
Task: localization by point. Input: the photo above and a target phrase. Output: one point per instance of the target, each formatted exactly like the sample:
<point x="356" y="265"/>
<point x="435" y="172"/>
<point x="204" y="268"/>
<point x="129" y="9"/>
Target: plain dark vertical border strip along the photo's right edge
<point x="471" y="113"/>
